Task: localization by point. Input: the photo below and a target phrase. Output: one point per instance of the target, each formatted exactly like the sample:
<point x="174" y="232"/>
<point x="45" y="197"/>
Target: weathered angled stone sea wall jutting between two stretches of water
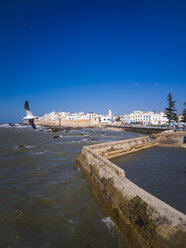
<point x="141" y="219"/>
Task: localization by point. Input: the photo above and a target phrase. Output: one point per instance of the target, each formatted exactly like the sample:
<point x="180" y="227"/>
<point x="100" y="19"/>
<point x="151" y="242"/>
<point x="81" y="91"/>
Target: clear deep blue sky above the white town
<point x="91" y="55"/>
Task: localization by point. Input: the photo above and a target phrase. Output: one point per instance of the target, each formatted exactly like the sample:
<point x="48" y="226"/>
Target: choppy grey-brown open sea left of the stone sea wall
<point x="45" y="199"/>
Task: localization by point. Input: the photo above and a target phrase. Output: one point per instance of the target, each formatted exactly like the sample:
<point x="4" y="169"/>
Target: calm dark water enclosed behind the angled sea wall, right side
<point x="160" y="171"/>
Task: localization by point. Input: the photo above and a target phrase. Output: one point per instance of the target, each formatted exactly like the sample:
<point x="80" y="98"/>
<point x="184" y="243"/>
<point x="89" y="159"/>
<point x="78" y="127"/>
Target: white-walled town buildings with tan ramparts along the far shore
<point x="63" y="118"/>
